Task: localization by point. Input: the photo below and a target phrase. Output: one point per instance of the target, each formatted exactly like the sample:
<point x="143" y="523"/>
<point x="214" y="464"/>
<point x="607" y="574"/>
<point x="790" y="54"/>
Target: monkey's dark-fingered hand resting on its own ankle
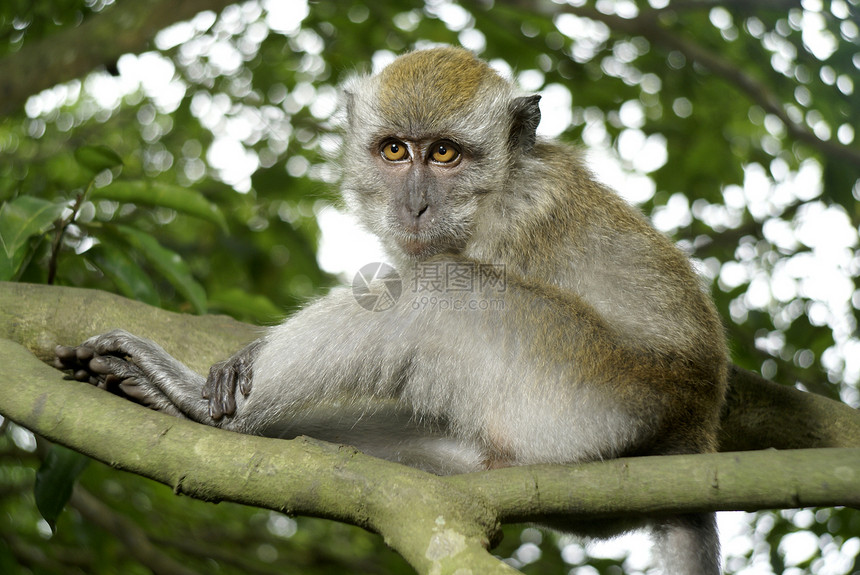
<point x="226" y="377"/>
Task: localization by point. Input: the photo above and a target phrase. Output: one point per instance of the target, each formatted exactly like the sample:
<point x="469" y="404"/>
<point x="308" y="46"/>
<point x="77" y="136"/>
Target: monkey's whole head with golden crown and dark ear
<point x="427" y="139"/>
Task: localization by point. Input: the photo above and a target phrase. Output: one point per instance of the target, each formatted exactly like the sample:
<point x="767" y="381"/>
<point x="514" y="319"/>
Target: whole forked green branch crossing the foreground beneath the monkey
<point x="435" y="522"/>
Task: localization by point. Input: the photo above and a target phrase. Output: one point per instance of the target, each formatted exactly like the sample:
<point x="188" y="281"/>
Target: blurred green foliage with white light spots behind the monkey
<point x="193" y="174"/>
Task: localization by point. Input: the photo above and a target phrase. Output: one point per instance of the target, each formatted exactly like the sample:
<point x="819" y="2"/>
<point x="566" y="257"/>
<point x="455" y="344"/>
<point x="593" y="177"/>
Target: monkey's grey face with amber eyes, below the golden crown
<point x="420" y="191"/>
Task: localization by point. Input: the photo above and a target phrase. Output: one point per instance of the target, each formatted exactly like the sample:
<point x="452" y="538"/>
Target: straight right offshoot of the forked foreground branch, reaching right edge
<point x="654" y="486"/>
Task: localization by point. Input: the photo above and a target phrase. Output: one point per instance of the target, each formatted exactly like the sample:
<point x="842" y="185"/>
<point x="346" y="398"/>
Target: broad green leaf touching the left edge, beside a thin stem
<point x="20" y="220"/>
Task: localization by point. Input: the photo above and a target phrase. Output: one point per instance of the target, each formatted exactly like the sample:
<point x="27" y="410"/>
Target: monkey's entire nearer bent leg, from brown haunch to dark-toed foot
<point x="505" y="373"/>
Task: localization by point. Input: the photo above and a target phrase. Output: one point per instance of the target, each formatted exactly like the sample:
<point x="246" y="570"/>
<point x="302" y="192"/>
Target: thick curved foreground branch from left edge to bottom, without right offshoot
<point x="434" y="526"/>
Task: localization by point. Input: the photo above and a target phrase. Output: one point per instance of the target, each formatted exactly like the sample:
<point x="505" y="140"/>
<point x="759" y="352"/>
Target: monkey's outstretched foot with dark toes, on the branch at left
<point x="135" y="368"/>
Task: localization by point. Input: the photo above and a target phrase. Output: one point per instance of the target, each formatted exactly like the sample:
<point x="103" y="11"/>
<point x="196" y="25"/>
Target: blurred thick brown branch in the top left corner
<point x="126" y="27"/>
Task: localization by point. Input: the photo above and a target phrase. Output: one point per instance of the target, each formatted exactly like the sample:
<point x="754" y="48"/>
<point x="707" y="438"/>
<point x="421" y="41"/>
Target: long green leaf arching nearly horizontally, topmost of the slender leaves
<point x="147" y="193"/>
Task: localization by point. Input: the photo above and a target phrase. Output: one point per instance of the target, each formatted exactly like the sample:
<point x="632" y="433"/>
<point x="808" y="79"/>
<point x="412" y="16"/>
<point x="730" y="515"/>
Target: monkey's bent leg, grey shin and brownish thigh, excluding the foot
<point x="508" y="371"/>
